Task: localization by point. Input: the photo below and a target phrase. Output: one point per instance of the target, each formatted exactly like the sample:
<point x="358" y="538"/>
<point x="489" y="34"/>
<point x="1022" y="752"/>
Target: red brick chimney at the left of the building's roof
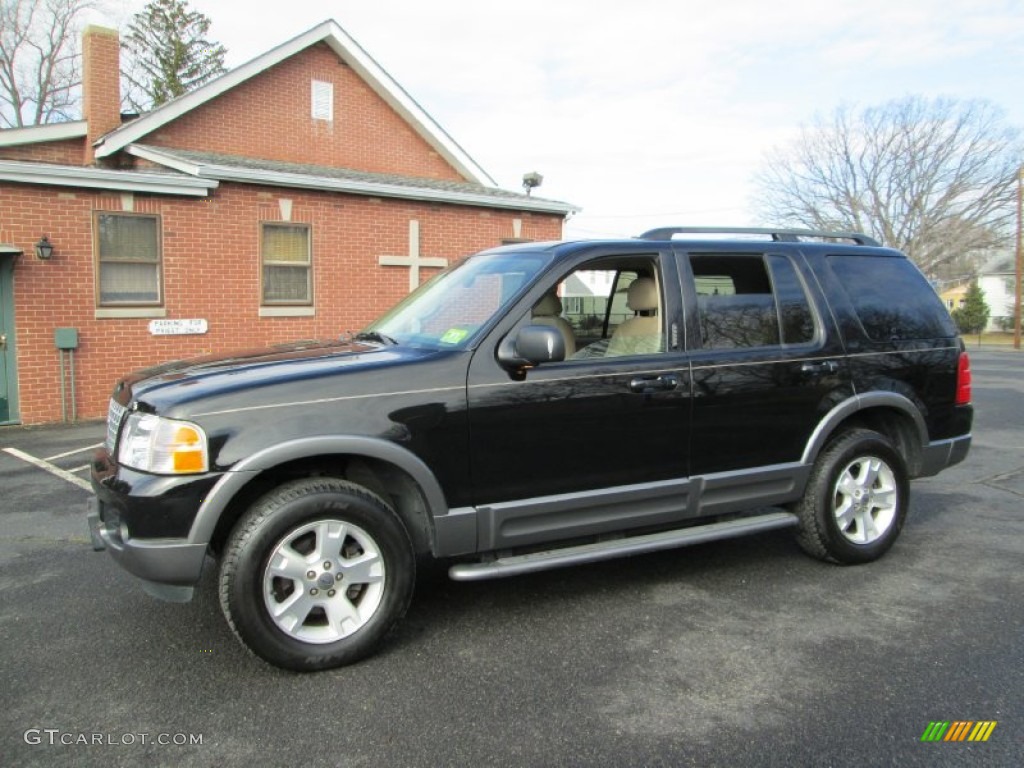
<point x="101" y="83"/>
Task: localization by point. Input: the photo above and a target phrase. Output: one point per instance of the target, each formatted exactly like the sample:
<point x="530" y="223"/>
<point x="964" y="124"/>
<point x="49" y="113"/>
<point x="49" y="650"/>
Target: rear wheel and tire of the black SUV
<point x="857" y="501"/>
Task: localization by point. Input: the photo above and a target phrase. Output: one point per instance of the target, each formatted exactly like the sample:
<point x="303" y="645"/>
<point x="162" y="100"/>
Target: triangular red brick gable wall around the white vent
<point x="269" y="117"/>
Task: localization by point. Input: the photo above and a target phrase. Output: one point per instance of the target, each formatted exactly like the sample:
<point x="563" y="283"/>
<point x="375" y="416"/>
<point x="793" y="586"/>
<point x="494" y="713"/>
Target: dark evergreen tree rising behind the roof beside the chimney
<point x="168" y="54"/>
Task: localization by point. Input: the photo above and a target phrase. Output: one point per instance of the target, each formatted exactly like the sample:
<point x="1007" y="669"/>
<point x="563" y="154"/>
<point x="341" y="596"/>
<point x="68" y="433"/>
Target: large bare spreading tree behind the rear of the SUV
<point x="934" y="179"/>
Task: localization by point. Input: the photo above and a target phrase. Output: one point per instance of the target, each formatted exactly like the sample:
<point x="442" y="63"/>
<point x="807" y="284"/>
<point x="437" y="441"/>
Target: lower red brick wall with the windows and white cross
<point x="212" y="271"/>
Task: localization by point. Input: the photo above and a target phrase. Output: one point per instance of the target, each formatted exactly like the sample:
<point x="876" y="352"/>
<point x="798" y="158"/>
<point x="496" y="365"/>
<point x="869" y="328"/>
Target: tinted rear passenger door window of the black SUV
<point x="751" y="302"/>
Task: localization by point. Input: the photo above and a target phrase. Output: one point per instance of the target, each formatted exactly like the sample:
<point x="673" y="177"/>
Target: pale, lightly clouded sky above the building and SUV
<point x="649" y="113"/>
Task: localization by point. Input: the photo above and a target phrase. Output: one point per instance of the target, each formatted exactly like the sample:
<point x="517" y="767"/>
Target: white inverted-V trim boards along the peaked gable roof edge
<point x="349" y="51"/>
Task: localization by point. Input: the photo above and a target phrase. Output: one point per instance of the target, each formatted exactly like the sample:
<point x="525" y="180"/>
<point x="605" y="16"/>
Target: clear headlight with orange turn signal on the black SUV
<point x="153" y="444"/>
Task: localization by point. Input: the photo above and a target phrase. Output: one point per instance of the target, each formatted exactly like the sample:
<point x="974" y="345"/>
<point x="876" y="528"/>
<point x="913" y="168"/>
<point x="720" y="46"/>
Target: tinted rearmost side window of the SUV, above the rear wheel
<point x="892" y="300"/>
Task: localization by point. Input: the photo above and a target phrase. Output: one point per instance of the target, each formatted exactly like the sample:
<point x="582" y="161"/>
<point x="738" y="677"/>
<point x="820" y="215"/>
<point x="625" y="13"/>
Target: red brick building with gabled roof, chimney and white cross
<point x="296" y="197"/>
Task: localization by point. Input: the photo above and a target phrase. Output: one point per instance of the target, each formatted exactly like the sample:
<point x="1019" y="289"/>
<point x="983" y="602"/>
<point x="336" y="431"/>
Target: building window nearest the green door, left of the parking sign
<point x="129" y="254"/>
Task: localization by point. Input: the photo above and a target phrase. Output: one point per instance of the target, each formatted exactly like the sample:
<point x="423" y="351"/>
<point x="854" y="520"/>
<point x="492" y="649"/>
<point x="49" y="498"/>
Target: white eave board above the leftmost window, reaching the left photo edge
<point x="102" y="179"/>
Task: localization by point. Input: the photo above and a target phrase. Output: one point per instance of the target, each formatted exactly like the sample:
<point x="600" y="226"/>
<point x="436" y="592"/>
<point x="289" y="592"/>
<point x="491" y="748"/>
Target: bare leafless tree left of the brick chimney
<point x="39" y="61"/>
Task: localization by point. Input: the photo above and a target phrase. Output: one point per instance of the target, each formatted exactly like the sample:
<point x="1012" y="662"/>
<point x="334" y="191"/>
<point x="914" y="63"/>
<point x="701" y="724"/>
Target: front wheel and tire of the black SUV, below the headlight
<point x="317" y="574"/>
